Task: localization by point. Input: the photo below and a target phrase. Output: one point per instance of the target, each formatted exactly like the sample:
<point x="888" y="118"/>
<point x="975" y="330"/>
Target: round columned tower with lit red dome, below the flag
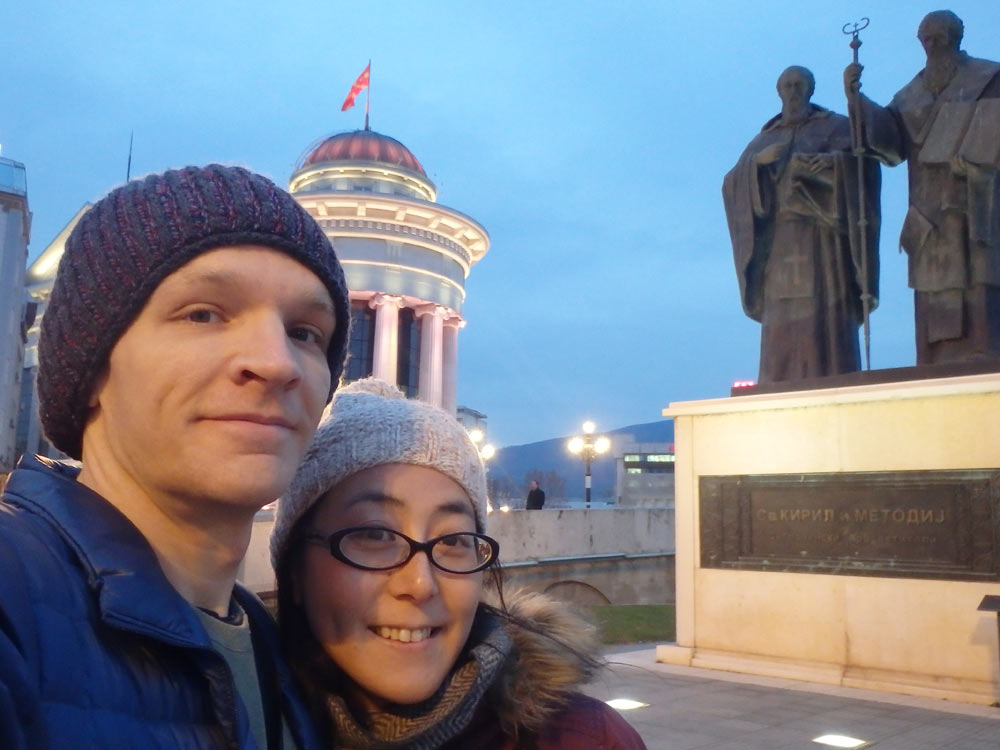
<point x="406" y="258"/>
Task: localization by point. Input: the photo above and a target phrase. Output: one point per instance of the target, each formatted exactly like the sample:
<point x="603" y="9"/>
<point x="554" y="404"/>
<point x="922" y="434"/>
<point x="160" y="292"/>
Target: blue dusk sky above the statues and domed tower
<point x="590" y="139"/>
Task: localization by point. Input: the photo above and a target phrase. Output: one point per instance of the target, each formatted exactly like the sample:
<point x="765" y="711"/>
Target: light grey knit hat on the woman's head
<point x="370" y="423"/>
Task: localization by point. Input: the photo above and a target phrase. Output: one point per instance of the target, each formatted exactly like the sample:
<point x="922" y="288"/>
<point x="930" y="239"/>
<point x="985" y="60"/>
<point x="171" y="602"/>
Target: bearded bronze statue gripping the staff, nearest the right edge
<point x="944" y="123"/>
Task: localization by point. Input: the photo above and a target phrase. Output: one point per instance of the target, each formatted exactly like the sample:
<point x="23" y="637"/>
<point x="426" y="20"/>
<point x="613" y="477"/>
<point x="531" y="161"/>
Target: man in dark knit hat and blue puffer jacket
<point x="197" y="327"/>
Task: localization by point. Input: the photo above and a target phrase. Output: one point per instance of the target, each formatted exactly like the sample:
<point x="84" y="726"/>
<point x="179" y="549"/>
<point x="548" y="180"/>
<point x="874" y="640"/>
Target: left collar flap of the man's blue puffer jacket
<point x="120" y="566"/>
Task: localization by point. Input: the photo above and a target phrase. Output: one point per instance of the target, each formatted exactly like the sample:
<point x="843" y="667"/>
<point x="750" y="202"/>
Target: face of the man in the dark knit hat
<point x="214" y="391"/>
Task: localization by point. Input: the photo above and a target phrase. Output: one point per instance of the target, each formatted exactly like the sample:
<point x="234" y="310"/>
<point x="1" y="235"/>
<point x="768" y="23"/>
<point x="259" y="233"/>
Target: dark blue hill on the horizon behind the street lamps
<point x="507" y="470"/>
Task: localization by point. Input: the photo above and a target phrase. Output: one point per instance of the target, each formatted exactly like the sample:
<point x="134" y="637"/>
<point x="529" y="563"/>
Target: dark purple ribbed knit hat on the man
<point x="136" y="236"/>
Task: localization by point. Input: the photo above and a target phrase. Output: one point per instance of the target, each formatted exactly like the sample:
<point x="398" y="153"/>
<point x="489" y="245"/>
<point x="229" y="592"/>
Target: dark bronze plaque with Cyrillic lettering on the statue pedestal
<point x="916" y="524"/>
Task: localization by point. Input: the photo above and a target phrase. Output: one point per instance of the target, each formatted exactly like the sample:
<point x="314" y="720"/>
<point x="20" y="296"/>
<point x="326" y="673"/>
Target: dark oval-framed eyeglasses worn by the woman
<point x="378" y="548"/>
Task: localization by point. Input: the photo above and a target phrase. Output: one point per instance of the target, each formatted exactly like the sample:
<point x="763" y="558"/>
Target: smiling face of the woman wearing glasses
<point x="396" y="633"/>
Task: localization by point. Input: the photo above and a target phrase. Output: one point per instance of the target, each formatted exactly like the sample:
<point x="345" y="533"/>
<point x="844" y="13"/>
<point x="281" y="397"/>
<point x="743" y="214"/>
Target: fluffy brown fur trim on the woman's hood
<point x="555" y="653"/>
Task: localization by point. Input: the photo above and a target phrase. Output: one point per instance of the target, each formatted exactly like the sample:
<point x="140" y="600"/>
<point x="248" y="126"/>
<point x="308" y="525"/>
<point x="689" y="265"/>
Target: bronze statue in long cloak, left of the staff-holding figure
<point x="792" y="203"/>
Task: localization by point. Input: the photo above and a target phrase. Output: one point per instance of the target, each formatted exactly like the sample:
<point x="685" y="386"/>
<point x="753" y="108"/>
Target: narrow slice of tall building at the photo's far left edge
<point x="15" y="230"/>
